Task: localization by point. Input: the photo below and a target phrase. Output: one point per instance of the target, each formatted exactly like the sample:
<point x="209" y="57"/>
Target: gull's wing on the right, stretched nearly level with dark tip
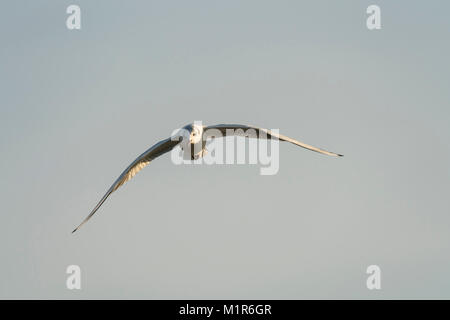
<point x="260" y="132"/>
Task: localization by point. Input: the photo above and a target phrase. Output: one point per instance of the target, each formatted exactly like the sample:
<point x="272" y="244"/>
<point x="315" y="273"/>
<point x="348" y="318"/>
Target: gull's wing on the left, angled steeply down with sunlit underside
<point x="155" y="151"/>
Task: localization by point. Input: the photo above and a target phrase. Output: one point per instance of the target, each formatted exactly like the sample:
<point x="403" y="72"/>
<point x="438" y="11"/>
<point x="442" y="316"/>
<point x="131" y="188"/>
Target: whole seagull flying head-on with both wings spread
<point x="193" y="136"/>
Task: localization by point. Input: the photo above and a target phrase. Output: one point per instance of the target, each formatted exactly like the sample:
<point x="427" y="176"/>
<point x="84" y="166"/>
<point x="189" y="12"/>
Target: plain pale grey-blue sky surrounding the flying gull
<point x="76" y="107"/>
